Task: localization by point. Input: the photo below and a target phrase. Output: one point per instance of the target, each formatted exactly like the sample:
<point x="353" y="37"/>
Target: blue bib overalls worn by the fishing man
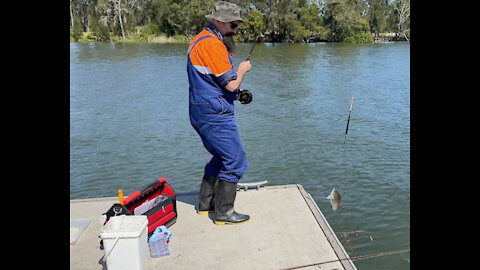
<point x="212" y="116"/>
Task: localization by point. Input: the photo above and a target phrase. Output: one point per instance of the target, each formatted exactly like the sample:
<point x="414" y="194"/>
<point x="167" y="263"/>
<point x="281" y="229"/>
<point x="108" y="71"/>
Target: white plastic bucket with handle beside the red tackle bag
<point x="125" y="242"/>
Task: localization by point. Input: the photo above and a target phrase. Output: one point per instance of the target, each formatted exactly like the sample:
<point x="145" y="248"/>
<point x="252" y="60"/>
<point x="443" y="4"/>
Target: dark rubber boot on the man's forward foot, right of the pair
<point x="225" y="194"/>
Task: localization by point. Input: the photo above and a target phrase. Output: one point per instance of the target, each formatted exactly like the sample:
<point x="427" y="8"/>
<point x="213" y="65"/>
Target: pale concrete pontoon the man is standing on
<point x="286" y="229"/>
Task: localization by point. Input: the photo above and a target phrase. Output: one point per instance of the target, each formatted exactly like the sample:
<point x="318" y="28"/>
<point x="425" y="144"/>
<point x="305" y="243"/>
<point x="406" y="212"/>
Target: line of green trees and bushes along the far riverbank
<point x="351" y="21"/>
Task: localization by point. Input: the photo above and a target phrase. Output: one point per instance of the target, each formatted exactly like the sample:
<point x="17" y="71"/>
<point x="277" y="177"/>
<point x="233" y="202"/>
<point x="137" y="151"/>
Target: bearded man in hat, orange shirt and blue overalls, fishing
<point x="213" y="87"/>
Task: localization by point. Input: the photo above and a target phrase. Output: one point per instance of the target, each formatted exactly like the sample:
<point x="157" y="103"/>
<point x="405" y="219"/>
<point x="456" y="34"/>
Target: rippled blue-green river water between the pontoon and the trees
<point x="129" y="125"/>
